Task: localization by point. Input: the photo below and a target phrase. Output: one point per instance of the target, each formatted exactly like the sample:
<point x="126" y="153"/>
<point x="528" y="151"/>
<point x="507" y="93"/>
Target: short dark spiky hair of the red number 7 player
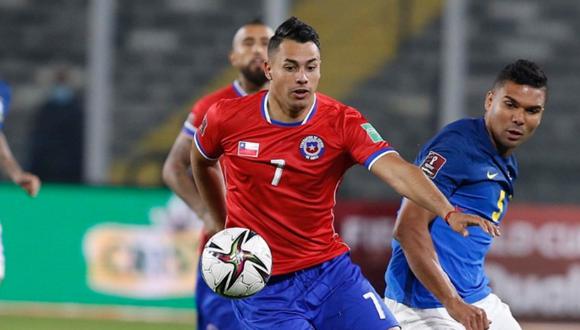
<point x="293" y="29"/>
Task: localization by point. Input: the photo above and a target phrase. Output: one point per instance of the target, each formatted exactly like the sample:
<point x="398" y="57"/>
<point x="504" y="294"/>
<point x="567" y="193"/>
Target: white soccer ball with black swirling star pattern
<point x="236" y="263"/>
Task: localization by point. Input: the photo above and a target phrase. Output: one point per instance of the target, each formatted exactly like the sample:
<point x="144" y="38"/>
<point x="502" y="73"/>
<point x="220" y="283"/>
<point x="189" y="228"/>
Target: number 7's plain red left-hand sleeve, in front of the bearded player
<point x="208" y="137"/>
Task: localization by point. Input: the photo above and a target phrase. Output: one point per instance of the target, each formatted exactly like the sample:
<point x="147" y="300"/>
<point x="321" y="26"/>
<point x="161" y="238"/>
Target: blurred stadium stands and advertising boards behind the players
<point x="408" y="65"/>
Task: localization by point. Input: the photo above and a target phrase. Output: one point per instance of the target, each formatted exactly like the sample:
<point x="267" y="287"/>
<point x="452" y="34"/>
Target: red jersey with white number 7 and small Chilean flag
<point x="282" y="178"/>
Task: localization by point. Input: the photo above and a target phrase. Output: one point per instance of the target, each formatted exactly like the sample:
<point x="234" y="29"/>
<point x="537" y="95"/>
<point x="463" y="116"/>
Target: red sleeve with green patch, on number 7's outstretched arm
<point x="362" y="140"/>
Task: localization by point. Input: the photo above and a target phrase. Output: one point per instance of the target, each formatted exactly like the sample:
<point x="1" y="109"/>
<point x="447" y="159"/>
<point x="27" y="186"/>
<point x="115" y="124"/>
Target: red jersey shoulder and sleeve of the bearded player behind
<point x="202" y="105"/>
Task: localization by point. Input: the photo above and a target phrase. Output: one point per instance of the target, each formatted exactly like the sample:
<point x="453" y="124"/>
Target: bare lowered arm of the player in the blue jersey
<point x="412" y="232"/>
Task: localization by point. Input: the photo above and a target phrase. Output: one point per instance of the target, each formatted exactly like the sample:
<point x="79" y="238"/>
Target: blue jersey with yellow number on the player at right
<point x="465" y="165"/>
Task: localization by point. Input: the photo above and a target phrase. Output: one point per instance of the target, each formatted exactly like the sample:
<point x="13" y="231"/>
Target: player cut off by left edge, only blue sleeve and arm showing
<point x="29" y="182"/>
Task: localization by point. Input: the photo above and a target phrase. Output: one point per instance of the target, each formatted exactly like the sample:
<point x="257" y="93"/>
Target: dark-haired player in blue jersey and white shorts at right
<point x="436" y="278"/>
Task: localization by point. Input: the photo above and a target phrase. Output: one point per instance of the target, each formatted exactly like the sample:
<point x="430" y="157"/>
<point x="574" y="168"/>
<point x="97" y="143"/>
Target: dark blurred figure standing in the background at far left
<point x="56" y="152"/>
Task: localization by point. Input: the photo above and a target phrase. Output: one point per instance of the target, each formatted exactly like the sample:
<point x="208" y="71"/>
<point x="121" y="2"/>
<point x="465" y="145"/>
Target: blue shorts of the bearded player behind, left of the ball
<point x="213" y="311"/>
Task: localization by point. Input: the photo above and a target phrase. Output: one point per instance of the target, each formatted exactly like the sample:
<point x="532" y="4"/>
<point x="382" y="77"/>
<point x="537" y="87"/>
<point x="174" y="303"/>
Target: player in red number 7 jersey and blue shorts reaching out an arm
<point x="284" y="153"/>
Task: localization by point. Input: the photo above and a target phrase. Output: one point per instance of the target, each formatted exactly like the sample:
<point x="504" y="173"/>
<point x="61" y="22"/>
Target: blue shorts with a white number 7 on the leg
<point x="333" y="295"/>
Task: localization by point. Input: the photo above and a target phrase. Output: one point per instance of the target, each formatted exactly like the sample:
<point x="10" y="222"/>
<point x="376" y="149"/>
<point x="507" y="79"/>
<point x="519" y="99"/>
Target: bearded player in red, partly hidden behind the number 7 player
<point x="249" y="51"/>
